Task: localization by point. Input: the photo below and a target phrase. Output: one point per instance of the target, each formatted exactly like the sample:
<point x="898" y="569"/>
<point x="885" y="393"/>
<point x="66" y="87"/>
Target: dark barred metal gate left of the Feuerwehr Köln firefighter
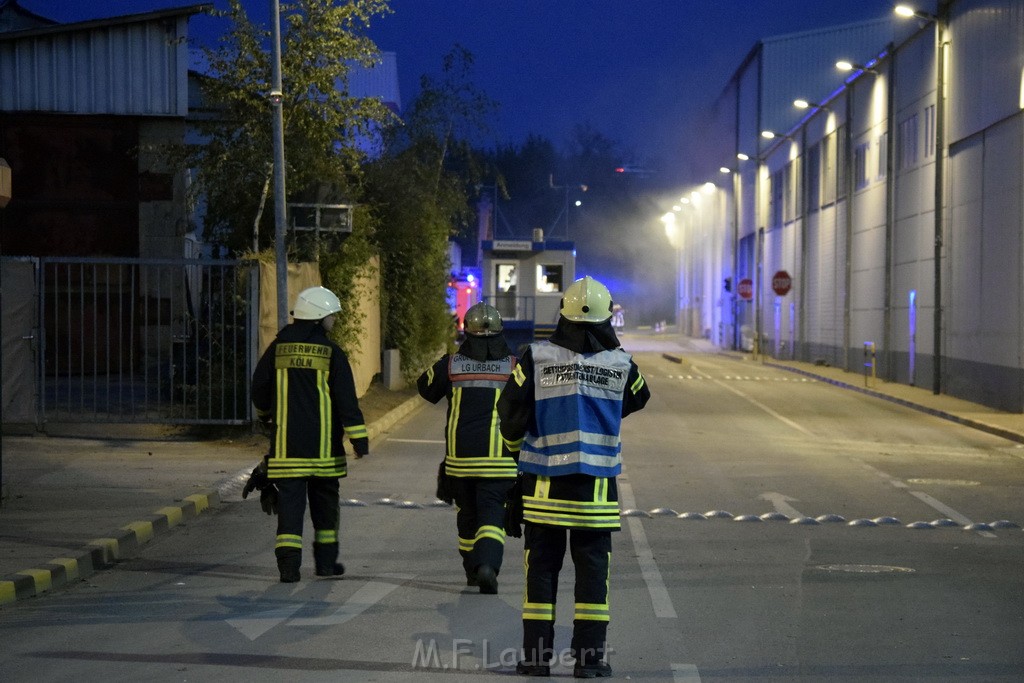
<point x="143" y="340"/>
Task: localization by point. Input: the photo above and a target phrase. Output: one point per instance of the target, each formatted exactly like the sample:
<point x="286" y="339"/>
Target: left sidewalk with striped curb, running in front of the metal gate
<point x="75" y="506"/>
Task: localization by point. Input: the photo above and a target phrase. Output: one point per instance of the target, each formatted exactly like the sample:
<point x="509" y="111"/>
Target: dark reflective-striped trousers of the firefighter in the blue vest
<point x="591" y="552"/>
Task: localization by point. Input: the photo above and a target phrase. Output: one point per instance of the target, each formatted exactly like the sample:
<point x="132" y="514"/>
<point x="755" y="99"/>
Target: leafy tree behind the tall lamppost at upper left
<point x="322" y="42"/>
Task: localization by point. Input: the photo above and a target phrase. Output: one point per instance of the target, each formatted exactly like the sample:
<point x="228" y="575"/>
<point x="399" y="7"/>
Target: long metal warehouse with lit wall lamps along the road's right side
<point x="845" y="202"/>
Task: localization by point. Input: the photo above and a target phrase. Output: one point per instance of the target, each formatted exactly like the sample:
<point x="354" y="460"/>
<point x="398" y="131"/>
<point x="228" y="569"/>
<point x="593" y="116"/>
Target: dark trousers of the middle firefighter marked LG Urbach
<point x="481" y="521"/>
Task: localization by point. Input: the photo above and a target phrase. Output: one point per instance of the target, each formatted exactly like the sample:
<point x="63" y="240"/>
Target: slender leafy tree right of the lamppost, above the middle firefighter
<point x="419" y="191"/>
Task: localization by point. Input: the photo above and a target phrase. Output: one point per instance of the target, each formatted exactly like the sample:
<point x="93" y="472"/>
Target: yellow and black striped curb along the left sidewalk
<point x="102" y="553"/>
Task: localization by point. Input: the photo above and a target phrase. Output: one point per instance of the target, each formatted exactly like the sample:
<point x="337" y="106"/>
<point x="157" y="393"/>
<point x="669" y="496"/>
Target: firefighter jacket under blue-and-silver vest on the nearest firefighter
<point x="562" y="410"/>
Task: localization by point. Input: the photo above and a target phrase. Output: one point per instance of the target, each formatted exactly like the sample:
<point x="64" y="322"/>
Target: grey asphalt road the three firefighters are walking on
<point x="706" y="585"/>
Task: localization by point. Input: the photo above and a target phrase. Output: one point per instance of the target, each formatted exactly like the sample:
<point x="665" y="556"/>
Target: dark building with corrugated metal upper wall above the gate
<point x="83" y="107"/>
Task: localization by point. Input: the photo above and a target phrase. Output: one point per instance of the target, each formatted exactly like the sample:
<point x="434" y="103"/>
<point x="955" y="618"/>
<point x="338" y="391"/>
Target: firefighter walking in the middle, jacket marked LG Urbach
<point x="480" y="467"/>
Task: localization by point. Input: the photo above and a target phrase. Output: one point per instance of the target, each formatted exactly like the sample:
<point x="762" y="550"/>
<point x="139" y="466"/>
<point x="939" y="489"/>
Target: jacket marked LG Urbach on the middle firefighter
<point x="473" y="380"/>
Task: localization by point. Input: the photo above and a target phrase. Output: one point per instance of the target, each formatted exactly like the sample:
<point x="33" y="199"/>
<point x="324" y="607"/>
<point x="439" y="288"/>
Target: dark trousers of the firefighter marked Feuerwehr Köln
<point x="323" y="495"/>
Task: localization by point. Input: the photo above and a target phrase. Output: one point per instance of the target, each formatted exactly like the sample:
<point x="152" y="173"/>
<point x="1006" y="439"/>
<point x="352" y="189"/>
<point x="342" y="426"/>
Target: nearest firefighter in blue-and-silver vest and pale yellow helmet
<point x="563" y="411"/>
